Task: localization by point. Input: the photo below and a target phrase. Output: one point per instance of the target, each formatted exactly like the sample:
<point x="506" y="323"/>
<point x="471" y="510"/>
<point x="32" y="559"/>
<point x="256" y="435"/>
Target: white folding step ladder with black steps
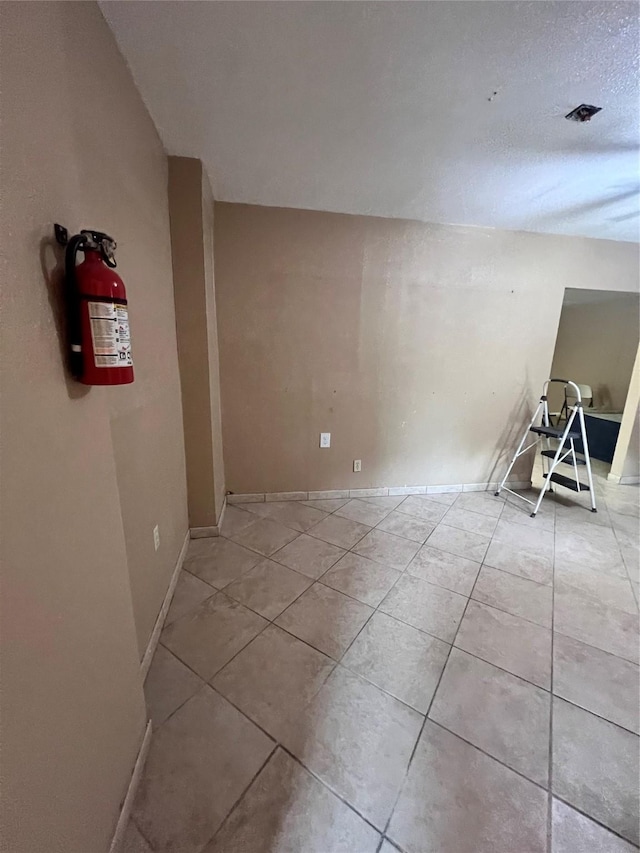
<point x="566" y="436"/>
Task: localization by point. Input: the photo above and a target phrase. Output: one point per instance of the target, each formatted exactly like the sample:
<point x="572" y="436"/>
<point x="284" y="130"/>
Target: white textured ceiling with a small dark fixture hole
<point x="388" y="108"/>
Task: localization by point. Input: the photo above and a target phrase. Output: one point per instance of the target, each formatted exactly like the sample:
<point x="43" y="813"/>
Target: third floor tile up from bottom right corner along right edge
<point x="607" y="685"/>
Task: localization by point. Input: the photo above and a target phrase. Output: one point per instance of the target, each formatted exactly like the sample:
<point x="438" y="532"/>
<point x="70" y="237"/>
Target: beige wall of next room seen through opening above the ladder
<point x="596" y="346"/>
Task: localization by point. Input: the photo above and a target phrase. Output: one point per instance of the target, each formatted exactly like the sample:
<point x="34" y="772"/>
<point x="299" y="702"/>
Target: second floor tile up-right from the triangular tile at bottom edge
<point x="399" y="659"/>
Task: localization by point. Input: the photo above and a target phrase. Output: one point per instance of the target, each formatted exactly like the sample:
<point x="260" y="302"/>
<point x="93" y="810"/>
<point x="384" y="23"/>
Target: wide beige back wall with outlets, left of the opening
<point x="421" y="348"/>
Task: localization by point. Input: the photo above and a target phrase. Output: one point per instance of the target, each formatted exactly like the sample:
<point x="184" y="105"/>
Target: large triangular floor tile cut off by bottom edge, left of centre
<point x="286" y="810"/>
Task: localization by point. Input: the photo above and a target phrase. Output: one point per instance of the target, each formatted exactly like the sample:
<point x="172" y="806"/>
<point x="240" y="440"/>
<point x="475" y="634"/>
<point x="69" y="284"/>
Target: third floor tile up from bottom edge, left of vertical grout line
<point x="507" y="641"/>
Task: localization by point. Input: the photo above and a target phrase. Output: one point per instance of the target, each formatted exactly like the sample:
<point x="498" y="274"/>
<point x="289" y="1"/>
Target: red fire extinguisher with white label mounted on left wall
<point x="98" y="316"/>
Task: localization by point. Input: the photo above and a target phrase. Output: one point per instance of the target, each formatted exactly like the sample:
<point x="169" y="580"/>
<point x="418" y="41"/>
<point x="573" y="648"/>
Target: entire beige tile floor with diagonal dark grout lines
<point x="430" y="674"/>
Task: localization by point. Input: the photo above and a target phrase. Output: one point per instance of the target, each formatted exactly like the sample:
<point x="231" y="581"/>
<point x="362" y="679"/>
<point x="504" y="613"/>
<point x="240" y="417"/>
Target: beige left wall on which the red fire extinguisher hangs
<point x="86" y="473"/>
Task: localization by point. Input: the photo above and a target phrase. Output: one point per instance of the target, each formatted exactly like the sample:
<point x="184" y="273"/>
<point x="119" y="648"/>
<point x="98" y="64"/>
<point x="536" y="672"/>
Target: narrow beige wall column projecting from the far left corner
<point x="191" y="205"/>
